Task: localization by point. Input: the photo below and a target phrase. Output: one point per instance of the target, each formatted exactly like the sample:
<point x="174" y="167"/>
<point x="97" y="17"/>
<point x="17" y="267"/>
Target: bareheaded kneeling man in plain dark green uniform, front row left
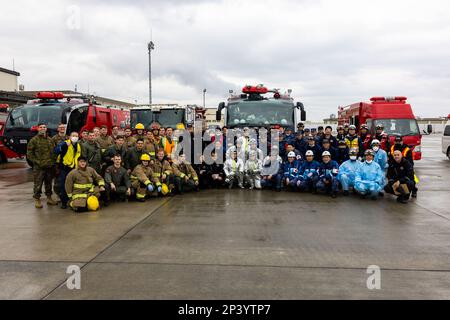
<point x="118" y="184"/>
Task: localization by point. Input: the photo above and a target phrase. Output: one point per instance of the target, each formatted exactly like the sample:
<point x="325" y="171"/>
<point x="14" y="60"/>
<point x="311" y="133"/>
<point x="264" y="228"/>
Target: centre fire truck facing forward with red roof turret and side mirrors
<point x="253" y="109"/>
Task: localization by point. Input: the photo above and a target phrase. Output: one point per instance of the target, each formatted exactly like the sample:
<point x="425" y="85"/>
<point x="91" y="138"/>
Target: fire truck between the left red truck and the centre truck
<point x="167" y="115"/>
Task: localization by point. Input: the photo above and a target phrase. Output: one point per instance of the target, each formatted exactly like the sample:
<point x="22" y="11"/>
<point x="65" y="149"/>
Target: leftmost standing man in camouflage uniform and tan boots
<point x="40" y="153"/>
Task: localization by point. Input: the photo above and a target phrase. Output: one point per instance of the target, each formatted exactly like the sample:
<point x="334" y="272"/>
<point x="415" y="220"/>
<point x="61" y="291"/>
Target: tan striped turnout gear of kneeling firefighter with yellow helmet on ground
<point x="80" y="186"/>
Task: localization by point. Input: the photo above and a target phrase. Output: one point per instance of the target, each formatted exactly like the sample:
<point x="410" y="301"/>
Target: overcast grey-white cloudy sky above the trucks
<point x="329" y="52"/>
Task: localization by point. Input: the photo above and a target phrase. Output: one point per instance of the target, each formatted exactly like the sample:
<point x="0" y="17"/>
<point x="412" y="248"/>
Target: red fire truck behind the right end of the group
<point x="394" y="113"/>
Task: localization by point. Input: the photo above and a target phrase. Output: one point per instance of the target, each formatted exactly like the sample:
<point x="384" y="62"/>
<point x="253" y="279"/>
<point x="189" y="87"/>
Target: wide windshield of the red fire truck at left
<point x="27" y="116"/>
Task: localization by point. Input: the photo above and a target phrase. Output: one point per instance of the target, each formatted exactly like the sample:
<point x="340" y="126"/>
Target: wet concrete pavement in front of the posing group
<point x="236" y="244"/>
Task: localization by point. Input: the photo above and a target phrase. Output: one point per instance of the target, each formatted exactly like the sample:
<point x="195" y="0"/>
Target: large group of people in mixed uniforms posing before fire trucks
<point x="95" y="168"/>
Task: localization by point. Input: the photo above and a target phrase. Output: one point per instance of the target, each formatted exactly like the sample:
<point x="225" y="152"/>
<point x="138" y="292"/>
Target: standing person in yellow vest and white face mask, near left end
<point x="68" y="153"/>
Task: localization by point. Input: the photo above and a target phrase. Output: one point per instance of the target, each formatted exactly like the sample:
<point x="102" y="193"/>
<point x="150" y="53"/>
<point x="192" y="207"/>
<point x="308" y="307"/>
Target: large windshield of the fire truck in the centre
<point x="260" y="113"/>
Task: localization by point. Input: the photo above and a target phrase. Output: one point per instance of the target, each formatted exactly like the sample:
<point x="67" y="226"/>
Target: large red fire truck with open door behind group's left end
<point x="78" y="112"/>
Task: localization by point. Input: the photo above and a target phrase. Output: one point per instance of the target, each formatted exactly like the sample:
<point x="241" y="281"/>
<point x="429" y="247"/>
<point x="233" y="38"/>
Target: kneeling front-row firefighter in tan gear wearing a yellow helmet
<point x="141" y="178"/>
